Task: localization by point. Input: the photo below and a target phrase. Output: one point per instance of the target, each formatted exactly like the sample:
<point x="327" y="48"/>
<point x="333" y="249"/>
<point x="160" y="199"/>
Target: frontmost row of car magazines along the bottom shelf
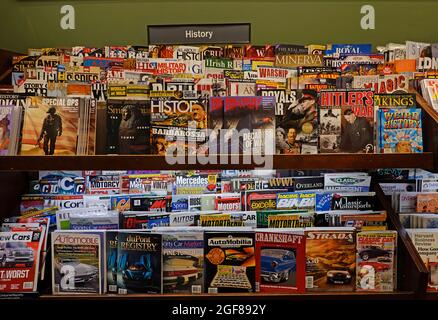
<point x="198" y="260"/>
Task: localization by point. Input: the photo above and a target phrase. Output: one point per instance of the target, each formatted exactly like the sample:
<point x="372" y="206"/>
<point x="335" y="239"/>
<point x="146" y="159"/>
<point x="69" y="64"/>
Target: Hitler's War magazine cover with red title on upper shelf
<point x="346" y="121"/>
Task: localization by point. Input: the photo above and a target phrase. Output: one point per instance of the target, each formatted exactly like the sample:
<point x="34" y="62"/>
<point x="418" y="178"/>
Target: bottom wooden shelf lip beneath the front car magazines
<point x="405" y="295"/>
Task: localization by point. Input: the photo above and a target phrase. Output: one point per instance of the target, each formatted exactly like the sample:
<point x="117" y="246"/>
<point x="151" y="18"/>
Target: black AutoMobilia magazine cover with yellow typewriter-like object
<point x="229" y="261"/>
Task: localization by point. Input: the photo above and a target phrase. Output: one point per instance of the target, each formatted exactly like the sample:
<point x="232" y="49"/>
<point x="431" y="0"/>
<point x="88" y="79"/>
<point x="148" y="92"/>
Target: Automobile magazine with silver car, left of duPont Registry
<point x="76" y="263"/>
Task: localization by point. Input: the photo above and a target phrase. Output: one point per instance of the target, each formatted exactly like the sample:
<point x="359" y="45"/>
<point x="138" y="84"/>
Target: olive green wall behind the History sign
<point x="34" y="23"/>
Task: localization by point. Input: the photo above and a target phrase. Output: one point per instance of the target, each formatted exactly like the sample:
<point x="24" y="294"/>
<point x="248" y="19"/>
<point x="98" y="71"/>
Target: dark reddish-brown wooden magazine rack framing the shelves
<point x="16" y="171"/>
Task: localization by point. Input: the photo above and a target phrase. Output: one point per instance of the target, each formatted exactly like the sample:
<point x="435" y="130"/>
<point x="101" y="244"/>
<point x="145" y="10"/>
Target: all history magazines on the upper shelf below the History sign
<point x="284" y="99"/>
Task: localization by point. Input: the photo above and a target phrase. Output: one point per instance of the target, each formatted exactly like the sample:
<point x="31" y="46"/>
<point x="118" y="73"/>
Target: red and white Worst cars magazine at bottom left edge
<point x="21" y="260"/>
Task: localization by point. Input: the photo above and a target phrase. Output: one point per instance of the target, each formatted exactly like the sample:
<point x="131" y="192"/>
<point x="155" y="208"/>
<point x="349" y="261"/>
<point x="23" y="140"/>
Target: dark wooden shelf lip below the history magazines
<point x="156" y="162"/>
